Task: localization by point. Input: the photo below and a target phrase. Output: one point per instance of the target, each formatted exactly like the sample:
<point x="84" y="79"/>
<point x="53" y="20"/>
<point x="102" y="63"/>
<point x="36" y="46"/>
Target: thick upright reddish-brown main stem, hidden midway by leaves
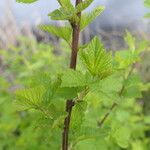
<point x="73" y="61"/>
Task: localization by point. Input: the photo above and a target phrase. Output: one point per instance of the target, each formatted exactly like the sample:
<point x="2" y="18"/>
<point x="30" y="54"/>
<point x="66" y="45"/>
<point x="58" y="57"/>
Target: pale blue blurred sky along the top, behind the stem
<point x="120" y="11"/>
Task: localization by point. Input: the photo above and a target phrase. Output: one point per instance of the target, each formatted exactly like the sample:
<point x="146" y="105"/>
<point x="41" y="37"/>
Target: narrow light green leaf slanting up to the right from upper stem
<point x="86" y="19"/>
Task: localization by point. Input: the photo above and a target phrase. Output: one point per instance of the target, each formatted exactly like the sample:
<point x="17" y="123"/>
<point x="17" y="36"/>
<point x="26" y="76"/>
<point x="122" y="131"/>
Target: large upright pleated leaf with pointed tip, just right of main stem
<point x="96" y="59"/>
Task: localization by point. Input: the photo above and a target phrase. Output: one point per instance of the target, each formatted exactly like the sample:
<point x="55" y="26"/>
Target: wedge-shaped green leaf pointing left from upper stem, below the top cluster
<point x="62" y="32"/>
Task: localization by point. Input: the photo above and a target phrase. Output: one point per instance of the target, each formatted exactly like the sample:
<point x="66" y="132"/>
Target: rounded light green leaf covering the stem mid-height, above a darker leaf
<point x="72" y="78"/>
